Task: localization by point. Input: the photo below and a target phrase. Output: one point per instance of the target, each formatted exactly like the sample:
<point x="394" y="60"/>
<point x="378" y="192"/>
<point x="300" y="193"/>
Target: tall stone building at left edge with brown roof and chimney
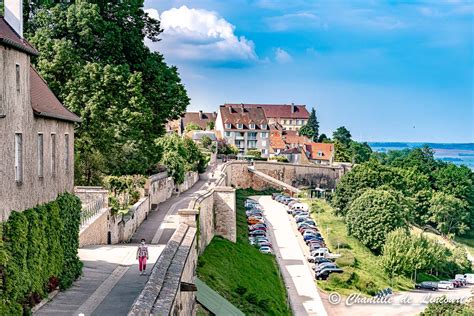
<point x="36" y="130"/>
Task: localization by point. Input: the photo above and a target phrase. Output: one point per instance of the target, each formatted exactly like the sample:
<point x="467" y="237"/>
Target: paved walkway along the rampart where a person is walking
<point x="110" y="282"/>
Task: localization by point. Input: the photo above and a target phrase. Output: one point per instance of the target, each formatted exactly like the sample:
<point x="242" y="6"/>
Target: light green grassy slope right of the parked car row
<point x="362" y="271"/>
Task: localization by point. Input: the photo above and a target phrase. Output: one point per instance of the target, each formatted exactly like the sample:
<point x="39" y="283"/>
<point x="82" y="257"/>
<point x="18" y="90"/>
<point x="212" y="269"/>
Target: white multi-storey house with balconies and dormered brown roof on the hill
<point x="245" y="127"/>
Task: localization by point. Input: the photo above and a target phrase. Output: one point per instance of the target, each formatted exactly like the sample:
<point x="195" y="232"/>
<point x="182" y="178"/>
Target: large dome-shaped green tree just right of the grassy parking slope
<point x="373" y="215"/>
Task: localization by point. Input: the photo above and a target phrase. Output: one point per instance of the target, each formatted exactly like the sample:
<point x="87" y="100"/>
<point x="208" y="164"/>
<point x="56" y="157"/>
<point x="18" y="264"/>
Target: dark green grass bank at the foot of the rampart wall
<point x="239" y="272"/>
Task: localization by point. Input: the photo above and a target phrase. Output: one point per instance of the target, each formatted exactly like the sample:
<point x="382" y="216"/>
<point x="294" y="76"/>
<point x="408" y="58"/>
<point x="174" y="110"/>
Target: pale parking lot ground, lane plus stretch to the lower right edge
<point x="292" y="252"/>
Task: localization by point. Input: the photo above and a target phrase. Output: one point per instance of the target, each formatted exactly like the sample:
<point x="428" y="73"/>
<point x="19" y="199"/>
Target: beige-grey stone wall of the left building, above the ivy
<point x="20" y="119"/>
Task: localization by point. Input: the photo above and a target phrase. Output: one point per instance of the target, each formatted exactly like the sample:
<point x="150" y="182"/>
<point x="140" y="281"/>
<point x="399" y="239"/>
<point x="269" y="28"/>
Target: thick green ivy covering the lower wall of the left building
<point x="38" y="252"/>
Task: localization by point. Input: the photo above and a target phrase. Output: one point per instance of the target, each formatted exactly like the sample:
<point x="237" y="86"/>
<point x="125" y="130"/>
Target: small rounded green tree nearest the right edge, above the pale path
<point x="449" y="213"/>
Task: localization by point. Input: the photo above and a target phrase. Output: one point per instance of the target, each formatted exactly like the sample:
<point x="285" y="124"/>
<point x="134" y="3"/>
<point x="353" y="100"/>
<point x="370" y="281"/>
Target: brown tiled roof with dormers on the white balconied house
<point x="242" y="115"/>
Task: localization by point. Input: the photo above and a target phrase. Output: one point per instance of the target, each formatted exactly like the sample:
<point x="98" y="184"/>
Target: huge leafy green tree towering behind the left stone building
<point x="93" y="56"/>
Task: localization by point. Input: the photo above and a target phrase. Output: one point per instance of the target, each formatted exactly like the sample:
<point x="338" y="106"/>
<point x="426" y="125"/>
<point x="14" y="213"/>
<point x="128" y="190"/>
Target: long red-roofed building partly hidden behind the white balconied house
<point x="290" y="116"/>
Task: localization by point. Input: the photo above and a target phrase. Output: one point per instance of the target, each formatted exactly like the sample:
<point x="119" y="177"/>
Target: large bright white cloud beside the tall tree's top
<point x="200" y="35"/>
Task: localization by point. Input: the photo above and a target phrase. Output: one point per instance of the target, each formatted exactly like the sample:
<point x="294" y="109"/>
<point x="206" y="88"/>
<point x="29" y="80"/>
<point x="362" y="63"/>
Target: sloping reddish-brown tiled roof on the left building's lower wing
<point x="45" y="103"/>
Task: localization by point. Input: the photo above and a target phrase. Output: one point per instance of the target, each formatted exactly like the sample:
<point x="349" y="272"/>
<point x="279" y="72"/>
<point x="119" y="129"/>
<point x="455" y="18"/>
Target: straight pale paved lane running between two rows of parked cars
<point x="302" y="290"/>
